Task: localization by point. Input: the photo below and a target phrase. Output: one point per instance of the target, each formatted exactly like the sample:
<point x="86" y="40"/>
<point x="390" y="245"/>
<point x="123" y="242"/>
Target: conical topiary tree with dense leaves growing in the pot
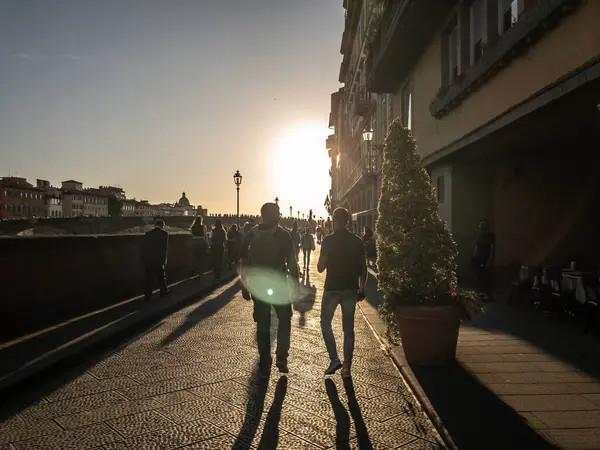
<point x="416" y="252"/>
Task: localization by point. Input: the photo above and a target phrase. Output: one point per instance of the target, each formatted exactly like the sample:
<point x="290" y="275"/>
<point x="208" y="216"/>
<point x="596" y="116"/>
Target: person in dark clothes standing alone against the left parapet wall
<point x="154" y="259"/>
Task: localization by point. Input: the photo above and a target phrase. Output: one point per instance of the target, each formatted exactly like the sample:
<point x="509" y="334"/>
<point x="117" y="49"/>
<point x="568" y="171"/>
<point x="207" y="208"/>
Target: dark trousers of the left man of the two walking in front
<point x="262" y="317"/>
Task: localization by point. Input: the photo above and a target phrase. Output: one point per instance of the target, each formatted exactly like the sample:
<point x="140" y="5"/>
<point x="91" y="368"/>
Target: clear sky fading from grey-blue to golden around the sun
<point x="164" y="96"/>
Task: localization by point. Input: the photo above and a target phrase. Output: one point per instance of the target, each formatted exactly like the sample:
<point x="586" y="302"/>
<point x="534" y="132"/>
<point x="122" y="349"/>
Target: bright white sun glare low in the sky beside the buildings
<point x="300" y="171"/>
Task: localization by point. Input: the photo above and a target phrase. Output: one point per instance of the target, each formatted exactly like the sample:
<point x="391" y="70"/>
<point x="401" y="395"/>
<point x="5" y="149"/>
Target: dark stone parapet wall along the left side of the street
<point x="47" y="280"/>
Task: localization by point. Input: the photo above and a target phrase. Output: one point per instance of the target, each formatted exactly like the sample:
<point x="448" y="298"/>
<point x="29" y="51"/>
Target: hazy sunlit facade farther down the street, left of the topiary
<point x="359" y="119"/>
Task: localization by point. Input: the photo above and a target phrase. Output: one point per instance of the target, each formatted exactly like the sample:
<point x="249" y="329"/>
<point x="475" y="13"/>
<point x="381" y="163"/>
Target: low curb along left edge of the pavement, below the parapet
<point x="97" y="336"/>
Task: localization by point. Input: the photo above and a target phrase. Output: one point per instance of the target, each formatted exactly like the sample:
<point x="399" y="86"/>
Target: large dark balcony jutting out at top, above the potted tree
<point x="406" y="28"/>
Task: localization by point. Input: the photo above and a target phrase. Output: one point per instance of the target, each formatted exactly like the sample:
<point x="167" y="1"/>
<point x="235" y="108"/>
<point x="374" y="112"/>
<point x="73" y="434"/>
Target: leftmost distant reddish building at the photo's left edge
<point x="20" y="199"/>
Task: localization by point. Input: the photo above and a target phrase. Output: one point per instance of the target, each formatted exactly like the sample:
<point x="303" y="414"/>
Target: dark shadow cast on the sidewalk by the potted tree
<point x="473" y="415"/>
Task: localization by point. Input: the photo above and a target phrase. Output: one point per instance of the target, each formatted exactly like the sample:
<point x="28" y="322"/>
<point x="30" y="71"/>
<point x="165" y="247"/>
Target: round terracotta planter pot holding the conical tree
<point x="429" y="334"/>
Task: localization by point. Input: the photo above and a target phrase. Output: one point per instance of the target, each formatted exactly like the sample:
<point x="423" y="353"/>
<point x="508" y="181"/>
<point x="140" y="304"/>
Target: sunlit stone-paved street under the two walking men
<point x="190" y="383"/>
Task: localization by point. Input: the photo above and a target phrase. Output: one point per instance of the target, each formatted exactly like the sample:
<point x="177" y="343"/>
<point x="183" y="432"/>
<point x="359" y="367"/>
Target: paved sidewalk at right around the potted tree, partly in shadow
<point x="521" y="381"/>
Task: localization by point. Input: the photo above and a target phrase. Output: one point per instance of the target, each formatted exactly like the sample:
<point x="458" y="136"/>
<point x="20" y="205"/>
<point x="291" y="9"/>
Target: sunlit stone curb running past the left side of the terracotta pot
<point x="397" y="356"/>
